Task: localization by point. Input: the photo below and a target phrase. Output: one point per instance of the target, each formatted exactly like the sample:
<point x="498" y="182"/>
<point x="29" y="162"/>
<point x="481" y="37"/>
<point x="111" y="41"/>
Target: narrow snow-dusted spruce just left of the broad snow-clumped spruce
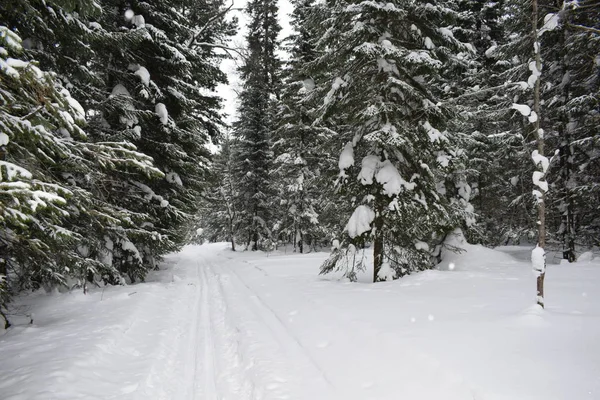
<point x="298" y="144"/>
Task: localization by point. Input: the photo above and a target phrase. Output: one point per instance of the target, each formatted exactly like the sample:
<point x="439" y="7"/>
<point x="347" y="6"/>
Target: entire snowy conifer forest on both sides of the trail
<point x="376" y="127"/>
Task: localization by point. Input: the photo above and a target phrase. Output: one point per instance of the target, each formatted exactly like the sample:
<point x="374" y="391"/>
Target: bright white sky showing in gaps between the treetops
<point x="228" y="92"/>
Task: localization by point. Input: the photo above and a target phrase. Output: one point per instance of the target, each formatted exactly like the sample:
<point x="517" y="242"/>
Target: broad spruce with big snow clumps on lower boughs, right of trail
<point x="387" y="58"/>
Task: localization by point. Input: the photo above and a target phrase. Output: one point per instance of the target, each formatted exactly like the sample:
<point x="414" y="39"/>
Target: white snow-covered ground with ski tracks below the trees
<point x="214" y="324"/>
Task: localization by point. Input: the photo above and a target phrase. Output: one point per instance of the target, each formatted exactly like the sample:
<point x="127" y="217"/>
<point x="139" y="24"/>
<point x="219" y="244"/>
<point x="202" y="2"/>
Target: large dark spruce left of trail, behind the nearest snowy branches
<point x="136" y="213"/>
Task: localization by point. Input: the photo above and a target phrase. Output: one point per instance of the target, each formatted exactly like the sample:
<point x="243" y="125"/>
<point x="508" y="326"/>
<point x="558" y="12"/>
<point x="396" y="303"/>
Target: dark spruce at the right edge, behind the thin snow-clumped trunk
<point x="571" y="97"/>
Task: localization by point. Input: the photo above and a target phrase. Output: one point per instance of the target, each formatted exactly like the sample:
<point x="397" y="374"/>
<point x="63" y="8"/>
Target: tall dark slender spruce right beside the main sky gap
<point x="254" y="129"/>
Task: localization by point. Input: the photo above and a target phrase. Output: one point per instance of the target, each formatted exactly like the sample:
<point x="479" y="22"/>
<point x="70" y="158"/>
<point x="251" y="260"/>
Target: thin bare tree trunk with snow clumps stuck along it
<point x="539" y="135"/>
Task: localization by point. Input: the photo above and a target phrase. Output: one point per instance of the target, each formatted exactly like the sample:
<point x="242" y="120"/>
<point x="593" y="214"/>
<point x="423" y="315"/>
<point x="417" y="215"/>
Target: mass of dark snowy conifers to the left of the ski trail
<point x="125" y="176"/>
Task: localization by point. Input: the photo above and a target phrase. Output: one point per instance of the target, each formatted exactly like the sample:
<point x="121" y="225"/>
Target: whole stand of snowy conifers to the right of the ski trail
<point x="435" y="111"/>
